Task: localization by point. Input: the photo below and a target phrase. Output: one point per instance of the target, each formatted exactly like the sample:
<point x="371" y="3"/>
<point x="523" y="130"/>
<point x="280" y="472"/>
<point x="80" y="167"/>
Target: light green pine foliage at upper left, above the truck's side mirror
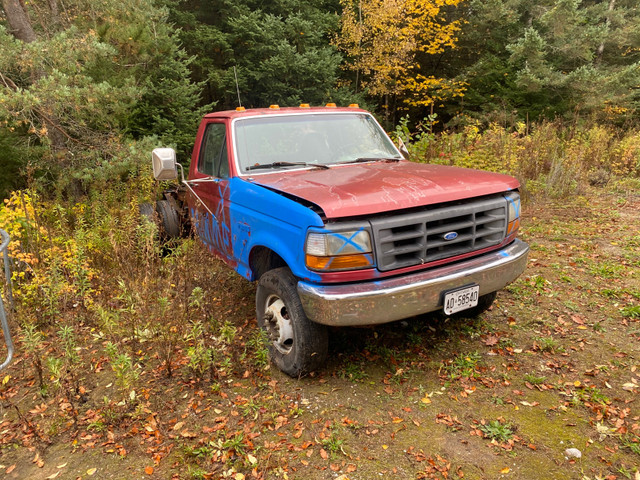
<point x="101" y="73"/>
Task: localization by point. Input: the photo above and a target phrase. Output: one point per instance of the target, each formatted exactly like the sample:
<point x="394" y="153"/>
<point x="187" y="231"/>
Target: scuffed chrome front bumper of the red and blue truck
<point x="391" y="299"/>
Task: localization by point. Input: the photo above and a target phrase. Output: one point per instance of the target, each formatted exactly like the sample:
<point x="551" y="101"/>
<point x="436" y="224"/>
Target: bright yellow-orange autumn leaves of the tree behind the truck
<point x="384" y="38"/>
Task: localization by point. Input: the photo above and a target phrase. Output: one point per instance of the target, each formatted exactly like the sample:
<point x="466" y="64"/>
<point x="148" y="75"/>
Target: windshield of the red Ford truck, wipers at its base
<point x="290" y="141"/>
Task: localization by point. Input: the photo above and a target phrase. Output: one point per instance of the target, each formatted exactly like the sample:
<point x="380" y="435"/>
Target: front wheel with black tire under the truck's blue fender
<point x="296" y="344"/>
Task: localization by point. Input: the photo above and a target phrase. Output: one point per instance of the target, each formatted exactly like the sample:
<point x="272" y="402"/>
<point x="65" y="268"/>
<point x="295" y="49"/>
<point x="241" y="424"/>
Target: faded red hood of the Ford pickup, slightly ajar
<point x="364" y="189"/>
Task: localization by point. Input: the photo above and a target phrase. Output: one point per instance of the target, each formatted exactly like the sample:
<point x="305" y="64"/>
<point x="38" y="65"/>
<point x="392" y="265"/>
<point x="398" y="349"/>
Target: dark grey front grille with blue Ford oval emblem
<point x="419" y="237"/>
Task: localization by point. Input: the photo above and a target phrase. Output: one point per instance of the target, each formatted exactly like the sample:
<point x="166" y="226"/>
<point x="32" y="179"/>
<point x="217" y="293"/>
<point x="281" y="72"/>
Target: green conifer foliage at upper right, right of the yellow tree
<point x="525" y="60"/>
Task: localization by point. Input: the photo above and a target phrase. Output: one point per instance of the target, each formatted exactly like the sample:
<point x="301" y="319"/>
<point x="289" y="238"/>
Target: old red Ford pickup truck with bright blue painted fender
<point x="320" y="208"/>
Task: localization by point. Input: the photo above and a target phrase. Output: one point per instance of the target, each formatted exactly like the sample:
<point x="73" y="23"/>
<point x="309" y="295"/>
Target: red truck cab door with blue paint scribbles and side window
<point x="210" y="210"/>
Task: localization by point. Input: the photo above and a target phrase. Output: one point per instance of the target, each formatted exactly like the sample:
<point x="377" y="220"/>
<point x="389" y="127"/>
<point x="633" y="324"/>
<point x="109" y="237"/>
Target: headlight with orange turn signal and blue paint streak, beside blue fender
<point x="344" y="250"/>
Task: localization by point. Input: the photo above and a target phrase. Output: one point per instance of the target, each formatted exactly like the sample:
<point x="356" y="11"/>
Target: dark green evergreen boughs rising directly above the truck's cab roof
<point x="281" y="51"/>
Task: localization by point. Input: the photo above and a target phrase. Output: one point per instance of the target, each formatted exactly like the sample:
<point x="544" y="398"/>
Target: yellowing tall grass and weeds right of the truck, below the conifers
<point x="548" y="158"/>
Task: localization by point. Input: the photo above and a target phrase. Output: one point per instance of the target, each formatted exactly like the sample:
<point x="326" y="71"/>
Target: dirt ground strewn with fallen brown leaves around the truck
<point x="543" y="386"/>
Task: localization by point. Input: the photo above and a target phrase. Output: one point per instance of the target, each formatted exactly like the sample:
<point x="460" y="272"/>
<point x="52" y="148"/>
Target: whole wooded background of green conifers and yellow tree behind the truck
<point x="82" y="81"/>
